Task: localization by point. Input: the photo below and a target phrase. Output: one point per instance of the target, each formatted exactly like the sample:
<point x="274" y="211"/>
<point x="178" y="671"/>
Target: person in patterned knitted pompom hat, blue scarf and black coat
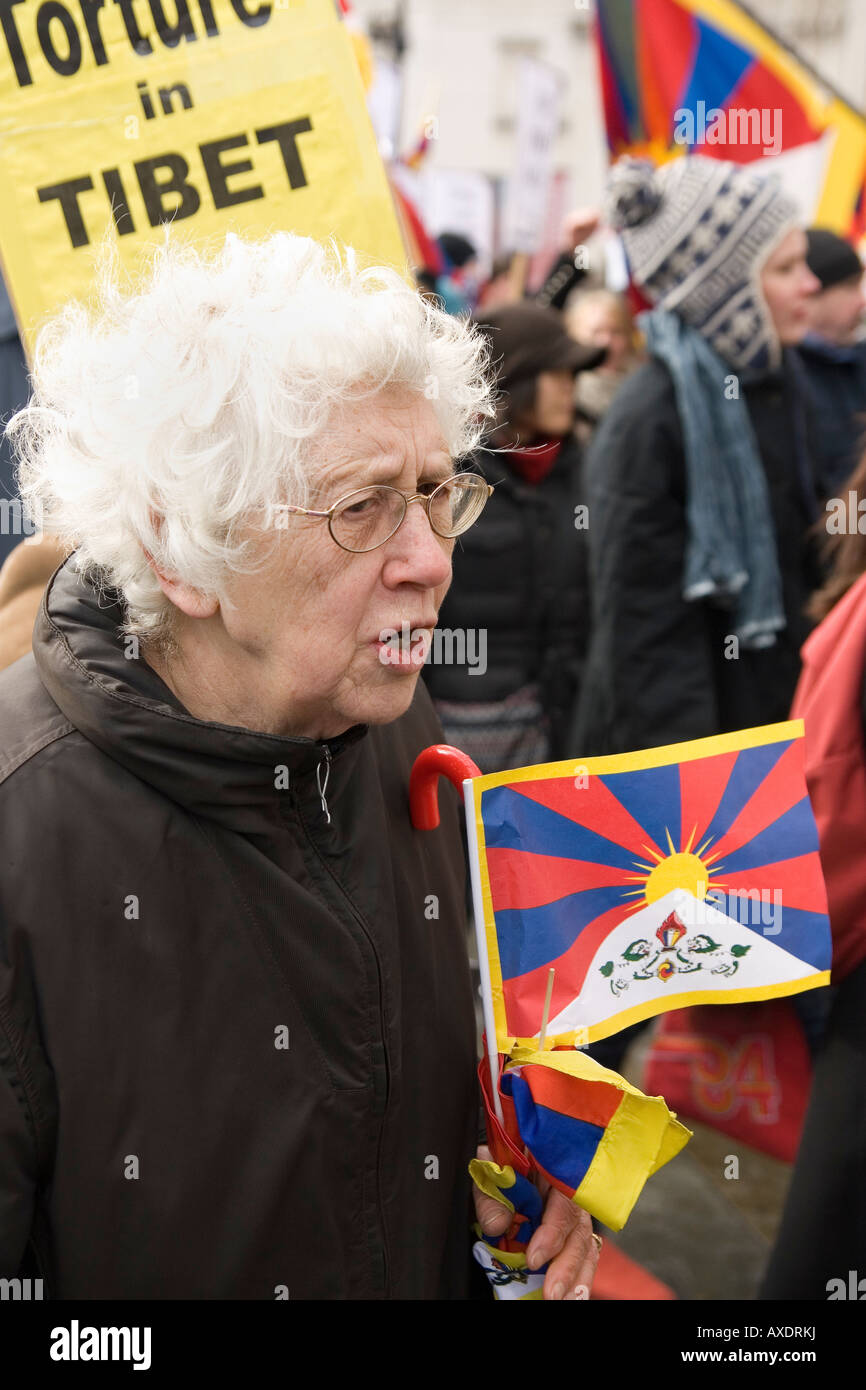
<point x="701" y="479"/>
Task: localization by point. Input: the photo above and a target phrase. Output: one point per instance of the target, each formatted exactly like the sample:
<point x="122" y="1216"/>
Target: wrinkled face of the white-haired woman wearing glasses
<point x="312" y="625"/>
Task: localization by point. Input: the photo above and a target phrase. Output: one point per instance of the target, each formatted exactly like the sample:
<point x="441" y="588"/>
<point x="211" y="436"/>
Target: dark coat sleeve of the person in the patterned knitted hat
<point x="650" y="672"/>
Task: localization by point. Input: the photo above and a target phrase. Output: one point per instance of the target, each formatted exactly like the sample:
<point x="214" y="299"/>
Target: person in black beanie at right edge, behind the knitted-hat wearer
<point x="835" y="357"/>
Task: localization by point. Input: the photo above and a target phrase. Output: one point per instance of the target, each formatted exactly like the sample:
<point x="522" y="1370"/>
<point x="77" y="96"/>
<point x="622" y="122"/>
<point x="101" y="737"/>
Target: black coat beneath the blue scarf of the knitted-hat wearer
<point x="658" y="672"/>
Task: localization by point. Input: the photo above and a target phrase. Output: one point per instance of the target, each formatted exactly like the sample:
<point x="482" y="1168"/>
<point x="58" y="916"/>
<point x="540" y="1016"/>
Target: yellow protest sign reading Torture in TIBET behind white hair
<point x="120" y="116"/>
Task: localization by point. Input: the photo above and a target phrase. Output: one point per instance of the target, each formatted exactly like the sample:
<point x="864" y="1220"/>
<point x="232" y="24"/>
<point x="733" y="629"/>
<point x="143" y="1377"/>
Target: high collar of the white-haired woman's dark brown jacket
<point x="224" y="774"/>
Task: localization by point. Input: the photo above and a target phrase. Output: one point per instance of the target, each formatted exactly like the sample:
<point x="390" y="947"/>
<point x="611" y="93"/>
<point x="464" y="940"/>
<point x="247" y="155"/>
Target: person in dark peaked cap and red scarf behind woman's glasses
<point x="518" y="605"/>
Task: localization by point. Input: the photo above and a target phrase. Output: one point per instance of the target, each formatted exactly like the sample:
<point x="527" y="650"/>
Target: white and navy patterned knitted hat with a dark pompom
<point x="697" y="234"/>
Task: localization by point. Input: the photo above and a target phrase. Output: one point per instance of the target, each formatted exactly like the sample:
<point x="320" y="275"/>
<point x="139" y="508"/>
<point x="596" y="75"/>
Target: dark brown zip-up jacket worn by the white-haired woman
<point x="237" y="1045"/>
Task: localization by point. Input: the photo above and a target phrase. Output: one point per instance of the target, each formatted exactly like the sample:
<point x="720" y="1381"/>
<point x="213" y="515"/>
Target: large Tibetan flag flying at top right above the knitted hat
<point x="705" y="76"/>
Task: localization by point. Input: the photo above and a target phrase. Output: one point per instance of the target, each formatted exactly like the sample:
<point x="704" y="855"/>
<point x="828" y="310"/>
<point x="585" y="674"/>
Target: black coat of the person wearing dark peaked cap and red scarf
<point x="521" y="575"/>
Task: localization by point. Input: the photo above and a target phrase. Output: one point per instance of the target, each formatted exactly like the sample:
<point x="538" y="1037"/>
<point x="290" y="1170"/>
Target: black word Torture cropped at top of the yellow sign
<point x="63" y="45"/>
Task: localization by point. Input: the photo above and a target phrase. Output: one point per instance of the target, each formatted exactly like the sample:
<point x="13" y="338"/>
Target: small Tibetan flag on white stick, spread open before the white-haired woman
<point x="648" y="882"/>
